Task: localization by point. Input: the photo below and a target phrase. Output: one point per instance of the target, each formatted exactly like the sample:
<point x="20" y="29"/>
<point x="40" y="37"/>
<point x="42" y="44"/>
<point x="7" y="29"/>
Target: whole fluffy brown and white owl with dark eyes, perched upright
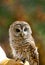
<point x="22" y="43"/>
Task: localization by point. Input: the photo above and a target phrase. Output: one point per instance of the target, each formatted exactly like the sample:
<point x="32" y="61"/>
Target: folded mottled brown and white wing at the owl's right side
<point x="34" y="51"/>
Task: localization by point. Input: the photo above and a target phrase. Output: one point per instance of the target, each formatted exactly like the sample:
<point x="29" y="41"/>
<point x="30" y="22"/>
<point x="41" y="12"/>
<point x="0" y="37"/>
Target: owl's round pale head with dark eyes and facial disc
<point x="20" y="29"/>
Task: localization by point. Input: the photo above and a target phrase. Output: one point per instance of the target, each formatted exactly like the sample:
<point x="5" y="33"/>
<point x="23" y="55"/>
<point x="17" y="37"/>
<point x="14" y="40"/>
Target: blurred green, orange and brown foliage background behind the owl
<point x="32" y="11"/>
